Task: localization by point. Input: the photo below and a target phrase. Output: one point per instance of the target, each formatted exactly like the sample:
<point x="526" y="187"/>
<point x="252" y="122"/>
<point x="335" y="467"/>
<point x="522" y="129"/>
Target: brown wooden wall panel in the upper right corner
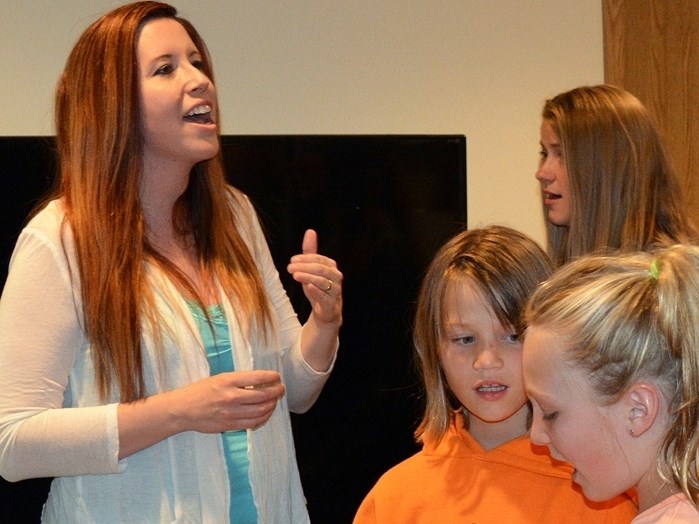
<point x="651" y="48"/>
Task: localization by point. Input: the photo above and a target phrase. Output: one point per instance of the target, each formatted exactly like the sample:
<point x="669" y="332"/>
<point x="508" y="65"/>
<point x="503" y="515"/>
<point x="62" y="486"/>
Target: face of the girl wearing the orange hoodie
<point x="481" y="360"/>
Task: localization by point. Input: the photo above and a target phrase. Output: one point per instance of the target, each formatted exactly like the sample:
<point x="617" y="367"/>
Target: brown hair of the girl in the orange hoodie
<point x="506" y="266"/>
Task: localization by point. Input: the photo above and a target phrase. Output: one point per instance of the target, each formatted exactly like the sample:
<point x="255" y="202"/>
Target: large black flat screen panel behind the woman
<point x="382" y="206"/>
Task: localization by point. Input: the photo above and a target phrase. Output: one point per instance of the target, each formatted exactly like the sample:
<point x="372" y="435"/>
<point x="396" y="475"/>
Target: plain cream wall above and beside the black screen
<point x="481" y="68"/>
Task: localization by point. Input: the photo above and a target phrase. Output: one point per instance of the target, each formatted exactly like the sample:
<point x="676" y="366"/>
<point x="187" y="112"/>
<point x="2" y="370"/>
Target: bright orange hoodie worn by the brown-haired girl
<point x="457" y="481"/>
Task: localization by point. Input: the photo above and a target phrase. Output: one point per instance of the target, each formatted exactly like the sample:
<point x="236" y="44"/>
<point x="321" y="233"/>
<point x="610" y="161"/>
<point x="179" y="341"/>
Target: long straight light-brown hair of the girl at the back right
<point x="625" y="195"/>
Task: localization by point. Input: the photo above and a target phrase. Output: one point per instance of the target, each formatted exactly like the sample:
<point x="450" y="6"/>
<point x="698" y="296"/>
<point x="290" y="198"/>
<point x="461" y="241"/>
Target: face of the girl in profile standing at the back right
<point x="553" y="176"/>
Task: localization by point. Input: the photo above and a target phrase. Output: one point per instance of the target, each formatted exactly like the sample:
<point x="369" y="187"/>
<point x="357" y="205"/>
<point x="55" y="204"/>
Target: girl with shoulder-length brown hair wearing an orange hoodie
<point x="477" y="464"/>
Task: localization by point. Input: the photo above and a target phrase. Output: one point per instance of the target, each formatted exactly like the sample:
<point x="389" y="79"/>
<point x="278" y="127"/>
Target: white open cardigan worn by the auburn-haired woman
<point x="52" y="422"/>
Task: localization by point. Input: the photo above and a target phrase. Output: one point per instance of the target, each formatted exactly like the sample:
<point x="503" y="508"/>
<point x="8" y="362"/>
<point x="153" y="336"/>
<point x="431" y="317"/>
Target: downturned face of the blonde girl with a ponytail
<point x="571" y="421"/>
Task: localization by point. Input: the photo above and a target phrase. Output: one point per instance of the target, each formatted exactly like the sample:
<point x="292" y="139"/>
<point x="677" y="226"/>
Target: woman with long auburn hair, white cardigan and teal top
<point x="149" y="356"/>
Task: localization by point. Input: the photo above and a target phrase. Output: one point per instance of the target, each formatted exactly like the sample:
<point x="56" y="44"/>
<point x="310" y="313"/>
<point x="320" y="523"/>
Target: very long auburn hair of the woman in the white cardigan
<point x="100" y="147"/>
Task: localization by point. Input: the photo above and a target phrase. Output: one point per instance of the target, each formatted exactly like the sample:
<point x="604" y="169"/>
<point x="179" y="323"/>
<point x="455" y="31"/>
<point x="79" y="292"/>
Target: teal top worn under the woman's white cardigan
<point x="217" y="343"/>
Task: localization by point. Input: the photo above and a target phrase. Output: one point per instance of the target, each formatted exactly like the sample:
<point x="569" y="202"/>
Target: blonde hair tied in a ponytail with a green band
<point x="630" y="318"/>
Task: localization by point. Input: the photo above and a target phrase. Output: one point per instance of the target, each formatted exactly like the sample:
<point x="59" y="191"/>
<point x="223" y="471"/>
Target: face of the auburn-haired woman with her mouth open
<point x="177" y="98"/>
